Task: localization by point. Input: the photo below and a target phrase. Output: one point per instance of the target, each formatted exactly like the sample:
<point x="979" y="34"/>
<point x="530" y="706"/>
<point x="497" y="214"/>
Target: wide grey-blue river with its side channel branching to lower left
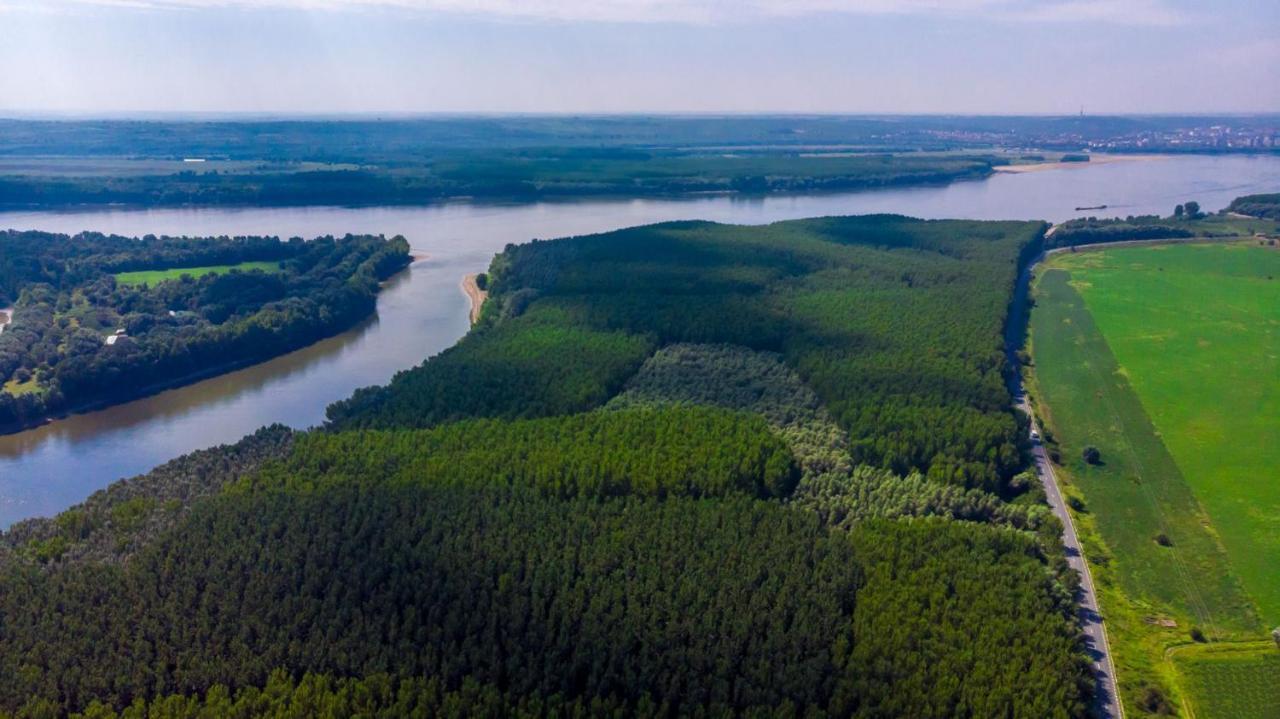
<point x="424" y="310"/>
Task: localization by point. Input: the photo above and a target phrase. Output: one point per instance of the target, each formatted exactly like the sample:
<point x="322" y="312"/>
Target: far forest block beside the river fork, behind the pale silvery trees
<point x="894" y="323"/>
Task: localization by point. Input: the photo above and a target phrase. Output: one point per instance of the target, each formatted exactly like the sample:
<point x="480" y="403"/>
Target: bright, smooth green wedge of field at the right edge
<point x="1197" y="331"/>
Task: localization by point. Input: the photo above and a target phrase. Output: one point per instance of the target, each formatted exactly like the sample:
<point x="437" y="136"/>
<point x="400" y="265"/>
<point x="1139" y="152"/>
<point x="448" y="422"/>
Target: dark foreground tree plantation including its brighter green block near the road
<point x="697" y="606"/>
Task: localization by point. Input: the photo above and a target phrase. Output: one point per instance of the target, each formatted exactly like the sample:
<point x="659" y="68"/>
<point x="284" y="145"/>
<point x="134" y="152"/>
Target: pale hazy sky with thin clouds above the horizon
<point x="107" y="57"/>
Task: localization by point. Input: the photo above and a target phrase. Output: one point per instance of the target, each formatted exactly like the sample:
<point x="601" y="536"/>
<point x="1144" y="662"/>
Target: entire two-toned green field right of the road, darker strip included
<point x="1165" y="359"/>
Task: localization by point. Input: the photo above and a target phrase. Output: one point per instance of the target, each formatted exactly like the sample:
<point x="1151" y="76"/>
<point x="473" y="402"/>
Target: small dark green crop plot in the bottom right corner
<point x="1231" y="683"/>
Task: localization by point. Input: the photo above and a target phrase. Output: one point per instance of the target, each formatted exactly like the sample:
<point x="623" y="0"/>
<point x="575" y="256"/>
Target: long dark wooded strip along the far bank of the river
<point x="486" y="175"/>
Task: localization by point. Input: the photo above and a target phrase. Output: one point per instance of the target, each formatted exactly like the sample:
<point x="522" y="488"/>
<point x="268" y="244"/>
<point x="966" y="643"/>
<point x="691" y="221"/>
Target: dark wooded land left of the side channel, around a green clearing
<point x="81" y="337"/>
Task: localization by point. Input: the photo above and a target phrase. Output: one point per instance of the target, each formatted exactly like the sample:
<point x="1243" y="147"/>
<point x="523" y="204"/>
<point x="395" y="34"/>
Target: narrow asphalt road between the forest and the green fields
<point x="1107" y="700"/>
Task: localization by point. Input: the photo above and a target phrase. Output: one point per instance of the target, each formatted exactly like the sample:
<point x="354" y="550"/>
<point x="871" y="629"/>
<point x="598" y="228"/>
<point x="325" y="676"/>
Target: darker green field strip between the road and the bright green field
<point x="1139" y="492"/>
